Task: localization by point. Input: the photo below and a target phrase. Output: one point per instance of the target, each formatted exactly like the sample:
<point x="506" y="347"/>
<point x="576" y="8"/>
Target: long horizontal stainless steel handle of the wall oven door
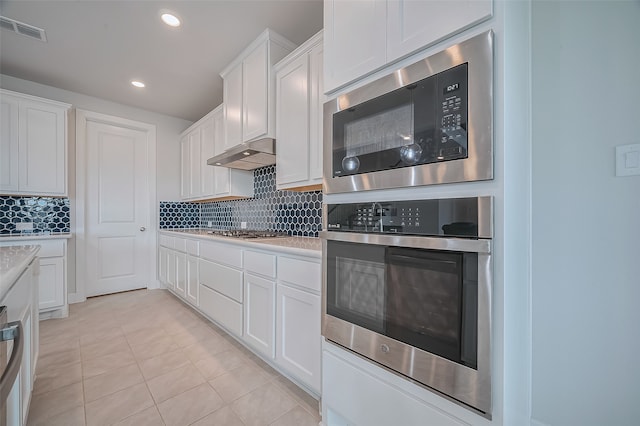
<point x="469" y="245"/>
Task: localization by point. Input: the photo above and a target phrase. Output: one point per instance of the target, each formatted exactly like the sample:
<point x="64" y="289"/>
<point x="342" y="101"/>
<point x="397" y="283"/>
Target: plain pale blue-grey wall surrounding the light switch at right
<point x="586" y="221"/>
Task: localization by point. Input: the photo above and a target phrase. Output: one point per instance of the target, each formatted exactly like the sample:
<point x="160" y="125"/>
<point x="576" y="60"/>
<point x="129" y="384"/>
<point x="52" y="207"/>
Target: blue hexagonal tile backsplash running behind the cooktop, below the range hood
<point x="296" y="213"/>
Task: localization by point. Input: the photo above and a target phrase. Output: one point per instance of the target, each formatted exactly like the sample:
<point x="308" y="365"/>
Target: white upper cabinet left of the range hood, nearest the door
<point x="201" y="141"/>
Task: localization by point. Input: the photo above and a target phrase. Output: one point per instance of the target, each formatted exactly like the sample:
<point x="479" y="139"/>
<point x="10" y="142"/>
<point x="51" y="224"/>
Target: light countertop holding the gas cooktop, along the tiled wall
<point x="303" y="246"/>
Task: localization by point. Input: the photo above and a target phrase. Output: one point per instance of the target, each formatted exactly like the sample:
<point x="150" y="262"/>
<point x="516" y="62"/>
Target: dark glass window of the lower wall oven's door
<point x="424" y="298"/>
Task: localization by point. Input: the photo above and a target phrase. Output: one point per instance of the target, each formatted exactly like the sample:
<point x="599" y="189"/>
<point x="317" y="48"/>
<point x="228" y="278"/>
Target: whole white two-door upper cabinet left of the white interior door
<point x="33" y="145"/>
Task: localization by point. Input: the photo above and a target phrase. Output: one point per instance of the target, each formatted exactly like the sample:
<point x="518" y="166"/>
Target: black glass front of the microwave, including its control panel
<point x="424" y="122"/>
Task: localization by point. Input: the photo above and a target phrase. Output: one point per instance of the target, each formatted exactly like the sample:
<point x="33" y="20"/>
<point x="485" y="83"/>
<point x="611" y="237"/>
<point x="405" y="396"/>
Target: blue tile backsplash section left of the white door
<point x="48" y="215"/>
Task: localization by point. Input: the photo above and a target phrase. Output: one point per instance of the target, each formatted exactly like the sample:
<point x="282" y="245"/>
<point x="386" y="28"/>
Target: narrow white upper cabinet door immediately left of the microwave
<point x="316" y="103"/>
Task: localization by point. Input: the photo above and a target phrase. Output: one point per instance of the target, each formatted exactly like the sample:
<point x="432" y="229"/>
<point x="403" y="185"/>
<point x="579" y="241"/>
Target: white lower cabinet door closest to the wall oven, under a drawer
<point x="298" y="349"/>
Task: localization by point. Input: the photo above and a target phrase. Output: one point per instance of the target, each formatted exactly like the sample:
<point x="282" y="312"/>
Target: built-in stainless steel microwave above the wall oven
<point x="428" y="123"/>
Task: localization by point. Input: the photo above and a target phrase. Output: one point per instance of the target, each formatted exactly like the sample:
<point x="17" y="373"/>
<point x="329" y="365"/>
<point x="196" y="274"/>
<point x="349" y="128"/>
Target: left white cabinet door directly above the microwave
<point x="354" y="39"/>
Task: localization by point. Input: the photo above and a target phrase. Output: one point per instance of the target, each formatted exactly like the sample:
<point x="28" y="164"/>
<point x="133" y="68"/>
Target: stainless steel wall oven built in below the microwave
<point x="408" y="284"/>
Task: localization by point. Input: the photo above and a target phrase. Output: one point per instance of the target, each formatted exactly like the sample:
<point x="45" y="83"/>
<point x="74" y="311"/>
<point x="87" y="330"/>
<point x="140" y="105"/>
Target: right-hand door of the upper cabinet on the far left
<point x="42" y="140"/>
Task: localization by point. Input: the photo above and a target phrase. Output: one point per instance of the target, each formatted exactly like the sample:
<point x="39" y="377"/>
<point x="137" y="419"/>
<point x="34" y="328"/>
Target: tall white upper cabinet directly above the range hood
<point x="248" y="90"/>
